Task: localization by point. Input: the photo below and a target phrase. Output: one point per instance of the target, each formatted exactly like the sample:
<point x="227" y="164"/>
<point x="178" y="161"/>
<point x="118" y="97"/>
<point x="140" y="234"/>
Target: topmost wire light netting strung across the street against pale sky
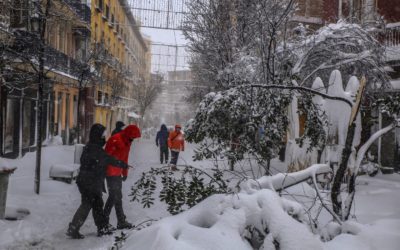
<point x="159" y="14"/>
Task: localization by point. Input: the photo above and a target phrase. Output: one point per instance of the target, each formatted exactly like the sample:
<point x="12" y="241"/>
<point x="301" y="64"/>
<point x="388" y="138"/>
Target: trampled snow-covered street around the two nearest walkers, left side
<point x="52" y="210"/>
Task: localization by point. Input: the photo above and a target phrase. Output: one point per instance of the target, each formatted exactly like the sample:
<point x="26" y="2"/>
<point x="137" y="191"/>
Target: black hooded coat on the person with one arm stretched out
<point x="94" y="161"/>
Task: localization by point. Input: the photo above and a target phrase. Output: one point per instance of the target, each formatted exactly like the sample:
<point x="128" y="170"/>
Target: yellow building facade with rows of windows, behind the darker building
<point x="114" y="27"/>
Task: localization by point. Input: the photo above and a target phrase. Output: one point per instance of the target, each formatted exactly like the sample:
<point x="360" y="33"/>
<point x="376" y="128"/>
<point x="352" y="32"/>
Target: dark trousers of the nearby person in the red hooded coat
<point x="114" y="184"/>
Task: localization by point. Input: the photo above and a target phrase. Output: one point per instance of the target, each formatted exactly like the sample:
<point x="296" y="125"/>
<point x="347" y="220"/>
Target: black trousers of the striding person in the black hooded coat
<point x="91" y="200"/>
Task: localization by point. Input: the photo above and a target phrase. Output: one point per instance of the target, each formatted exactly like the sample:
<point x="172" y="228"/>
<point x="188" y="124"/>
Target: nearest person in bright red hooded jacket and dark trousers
<point x="118" y="146"/>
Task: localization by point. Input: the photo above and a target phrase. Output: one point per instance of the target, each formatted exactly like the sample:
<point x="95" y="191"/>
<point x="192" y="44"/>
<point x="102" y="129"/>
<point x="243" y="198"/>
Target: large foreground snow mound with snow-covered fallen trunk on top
<point x="256" y="217"/>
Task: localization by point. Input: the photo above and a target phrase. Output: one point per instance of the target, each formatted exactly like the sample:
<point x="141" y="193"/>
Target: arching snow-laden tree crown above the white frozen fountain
<point x="347" y="47"/>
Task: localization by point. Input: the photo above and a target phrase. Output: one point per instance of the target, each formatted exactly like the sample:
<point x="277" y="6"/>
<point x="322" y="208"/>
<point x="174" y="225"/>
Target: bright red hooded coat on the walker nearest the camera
<point x="119" y="146"/>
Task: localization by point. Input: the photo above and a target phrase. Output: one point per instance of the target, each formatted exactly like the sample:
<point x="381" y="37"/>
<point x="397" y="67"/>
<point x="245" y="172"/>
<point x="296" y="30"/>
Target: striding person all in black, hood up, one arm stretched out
<point x="90" y="181"/>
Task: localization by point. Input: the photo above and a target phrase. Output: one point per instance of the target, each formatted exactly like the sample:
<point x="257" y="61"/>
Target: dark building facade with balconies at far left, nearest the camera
<point x="65" y="43"/>
